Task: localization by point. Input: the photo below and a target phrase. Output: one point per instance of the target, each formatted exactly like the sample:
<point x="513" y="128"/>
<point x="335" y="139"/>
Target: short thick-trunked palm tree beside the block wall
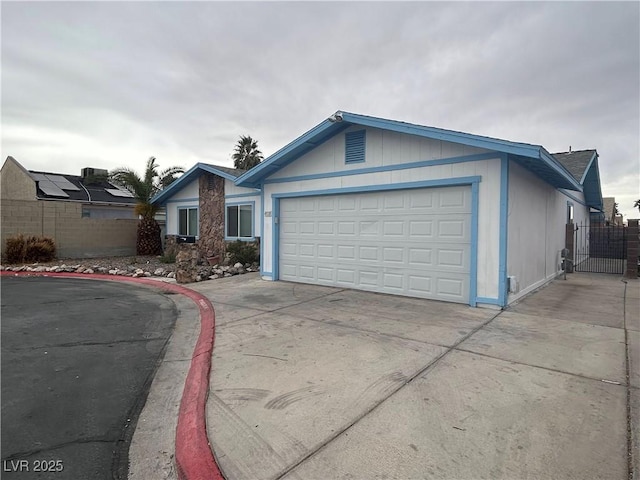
<point x="144" y="189"/>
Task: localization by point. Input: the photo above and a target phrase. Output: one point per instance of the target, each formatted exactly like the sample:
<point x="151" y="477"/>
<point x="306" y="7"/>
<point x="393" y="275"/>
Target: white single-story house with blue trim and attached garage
<point x="387" y="206"/>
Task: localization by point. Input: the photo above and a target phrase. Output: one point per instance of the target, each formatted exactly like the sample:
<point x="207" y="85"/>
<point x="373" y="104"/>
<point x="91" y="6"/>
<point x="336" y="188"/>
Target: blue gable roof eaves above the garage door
<point x="533" y="157"/>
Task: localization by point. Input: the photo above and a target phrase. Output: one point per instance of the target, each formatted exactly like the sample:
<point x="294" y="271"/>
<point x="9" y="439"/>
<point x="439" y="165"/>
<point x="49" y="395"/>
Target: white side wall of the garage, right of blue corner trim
<point x="536" y="229"/>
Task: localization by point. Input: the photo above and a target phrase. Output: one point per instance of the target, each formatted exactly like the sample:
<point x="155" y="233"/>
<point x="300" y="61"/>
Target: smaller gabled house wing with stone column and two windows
<point x="206" y="206"/>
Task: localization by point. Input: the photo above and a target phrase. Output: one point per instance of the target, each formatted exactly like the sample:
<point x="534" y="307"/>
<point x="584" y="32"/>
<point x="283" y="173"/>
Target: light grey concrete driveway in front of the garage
<point x="313" y="382"/>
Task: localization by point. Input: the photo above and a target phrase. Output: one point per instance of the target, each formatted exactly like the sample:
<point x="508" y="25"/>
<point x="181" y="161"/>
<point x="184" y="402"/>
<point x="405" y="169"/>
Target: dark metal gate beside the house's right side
<point x="600" y="248"/>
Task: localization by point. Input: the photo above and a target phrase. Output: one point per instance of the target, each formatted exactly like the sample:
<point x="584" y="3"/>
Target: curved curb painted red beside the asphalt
<point x="194" y="458"/>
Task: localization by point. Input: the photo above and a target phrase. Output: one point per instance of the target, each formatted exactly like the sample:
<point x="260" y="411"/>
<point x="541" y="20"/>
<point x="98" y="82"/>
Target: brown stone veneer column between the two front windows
<point x="211" y="221"/>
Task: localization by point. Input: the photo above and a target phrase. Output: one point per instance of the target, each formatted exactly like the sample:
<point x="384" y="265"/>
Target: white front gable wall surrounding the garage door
<point x="385" y="148"/>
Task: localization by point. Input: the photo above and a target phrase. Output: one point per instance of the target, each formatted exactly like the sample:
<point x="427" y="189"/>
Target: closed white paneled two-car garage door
<point x="406" y="242"/>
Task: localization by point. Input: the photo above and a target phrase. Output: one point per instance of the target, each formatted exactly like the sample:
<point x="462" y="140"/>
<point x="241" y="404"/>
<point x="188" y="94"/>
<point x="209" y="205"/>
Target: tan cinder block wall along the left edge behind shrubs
<point x="75" y="237"/>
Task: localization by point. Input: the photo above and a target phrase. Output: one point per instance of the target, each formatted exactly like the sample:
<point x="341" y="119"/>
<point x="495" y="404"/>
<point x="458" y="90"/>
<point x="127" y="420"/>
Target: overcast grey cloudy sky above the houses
<point x="110" y="84"/>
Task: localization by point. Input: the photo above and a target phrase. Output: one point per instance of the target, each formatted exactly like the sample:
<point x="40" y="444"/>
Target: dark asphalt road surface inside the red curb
<point x="78" y="358"/>
